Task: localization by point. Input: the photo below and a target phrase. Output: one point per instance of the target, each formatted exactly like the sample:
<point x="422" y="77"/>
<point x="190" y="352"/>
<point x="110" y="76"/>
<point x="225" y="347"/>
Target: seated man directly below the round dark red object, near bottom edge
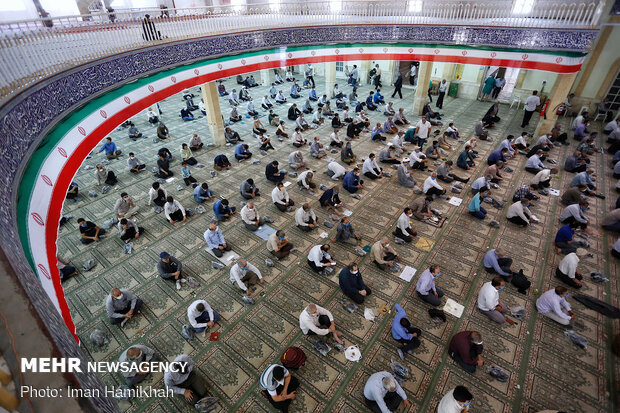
<point x="279" y="386"/>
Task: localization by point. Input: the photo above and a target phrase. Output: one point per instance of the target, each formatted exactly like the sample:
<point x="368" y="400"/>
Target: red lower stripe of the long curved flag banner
<point x="92" y="139"/>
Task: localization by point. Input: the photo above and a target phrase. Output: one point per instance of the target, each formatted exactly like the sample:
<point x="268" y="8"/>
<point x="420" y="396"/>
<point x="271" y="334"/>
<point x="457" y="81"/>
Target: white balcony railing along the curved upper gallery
<point x="31" y="50"/>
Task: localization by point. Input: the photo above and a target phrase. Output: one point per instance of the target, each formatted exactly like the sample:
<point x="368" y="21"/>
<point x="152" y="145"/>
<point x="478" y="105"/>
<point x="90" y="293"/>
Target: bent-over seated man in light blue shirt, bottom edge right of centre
<point x="383" y="394"/>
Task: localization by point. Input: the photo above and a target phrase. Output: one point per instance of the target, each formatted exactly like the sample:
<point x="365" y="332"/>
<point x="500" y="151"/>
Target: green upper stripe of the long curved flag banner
<point x="32" y="170"/>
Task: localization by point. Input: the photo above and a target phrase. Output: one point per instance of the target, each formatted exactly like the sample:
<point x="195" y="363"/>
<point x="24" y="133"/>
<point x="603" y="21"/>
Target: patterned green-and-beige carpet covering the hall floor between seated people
<point x="546" y="370"/>
